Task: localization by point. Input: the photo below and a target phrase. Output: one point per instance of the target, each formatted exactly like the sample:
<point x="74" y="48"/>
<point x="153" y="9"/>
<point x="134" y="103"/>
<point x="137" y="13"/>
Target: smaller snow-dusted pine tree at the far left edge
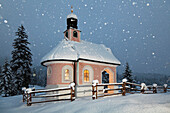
<point x="6" y="79"/>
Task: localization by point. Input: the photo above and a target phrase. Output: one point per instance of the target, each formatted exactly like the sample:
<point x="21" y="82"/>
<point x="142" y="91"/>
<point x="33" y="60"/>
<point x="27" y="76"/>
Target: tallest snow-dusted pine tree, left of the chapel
<point x="21" y="60"/>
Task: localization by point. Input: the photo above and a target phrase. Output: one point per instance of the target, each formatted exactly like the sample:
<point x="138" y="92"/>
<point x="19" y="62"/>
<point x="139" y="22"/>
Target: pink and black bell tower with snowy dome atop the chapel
<point x="72" y="33"/>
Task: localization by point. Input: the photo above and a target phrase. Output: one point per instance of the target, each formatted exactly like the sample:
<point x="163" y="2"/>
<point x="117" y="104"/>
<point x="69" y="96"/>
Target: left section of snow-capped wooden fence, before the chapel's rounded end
<point x="29" y="94"/>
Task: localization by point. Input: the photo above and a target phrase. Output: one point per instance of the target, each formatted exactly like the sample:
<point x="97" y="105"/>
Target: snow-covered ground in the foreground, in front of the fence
<point x="132" y="103"/>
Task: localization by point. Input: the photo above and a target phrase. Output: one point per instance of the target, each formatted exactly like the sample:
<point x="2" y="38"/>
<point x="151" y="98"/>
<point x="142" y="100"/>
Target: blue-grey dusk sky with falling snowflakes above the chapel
<point x="137" y="31"/>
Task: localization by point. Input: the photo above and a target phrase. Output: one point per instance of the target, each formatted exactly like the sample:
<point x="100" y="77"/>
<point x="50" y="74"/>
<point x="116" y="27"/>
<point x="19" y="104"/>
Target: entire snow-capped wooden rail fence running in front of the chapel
<point x="98" y="90"/>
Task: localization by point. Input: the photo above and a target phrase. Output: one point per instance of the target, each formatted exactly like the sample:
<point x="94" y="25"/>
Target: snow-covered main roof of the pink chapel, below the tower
<point x="71" y="50"/>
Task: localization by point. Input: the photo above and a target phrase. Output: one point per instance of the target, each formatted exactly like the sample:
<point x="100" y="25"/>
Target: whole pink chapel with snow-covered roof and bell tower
<point x="79" y="61"/>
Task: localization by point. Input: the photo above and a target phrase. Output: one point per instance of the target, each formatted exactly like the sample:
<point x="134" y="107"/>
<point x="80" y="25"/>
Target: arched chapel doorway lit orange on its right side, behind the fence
<point x="108" y="77"/>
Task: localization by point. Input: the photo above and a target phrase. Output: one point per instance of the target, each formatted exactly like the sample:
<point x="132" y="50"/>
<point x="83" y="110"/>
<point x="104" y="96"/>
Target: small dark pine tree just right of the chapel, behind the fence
<point x="128" y="73"/>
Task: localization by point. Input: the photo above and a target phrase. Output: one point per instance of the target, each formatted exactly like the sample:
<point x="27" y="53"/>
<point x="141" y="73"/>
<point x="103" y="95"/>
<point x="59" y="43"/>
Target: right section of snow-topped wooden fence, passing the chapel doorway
<point x="126" y="87"/>
